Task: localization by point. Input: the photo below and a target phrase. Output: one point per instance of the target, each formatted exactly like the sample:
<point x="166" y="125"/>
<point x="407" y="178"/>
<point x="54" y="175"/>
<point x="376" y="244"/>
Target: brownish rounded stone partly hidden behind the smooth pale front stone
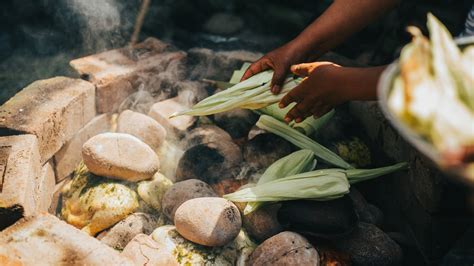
<point x="183" y="191"/>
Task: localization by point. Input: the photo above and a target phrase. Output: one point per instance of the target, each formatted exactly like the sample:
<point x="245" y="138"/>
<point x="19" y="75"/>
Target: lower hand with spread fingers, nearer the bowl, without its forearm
<point x="317" y="94"/>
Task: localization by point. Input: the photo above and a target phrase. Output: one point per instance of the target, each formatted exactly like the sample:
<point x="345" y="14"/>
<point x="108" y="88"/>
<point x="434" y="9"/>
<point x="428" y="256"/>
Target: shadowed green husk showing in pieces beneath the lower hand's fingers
<point x="307" y="126"/>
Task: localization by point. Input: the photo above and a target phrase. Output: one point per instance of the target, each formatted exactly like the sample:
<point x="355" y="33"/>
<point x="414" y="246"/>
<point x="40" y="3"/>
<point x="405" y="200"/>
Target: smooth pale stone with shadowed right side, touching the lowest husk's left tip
<point x="208" y="221"/>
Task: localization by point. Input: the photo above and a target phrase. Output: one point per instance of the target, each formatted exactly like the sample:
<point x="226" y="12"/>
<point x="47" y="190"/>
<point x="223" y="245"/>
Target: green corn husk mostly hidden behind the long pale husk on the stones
<point x="297" y="162"/>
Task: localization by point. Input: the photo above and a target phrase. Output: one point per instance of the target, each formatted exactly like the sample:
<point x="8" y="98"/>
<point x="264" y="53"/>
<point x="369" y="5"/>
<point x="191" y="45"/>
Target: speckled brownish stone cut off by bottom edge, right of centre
<point x="286" y="248"/>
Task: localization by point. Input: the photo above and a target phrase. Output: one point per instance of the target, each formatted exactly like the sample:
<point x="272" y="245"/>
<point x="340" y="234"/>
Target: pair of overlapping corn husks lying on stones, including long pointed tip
<point x="292" y="178"/>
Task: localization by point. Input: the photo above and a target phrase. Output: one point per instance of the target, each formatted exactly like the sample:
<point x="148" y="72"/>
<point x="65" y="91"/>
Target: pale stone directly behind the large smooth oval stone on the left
<point x="141" y="126"/>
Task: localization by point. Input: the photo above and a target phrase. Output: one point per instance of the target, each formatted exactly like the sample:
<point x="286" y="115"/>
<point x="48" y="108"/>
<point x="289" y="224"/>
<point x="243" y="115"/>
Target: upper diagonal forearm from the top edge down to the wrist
<point x="342" y="19"/>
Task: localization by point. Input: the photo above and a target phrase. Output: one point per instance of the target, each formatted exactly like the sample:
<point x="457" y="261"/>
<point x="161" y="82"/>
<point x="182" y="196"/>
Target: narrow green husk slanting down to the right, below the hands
<point x="276" y="127"/>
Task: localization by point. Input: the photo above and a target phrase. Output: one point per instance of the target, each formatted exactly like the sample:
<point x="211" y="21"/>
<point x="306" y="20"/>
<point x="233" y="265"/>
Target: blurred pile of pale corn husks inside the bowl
<point x="434" y="94"/>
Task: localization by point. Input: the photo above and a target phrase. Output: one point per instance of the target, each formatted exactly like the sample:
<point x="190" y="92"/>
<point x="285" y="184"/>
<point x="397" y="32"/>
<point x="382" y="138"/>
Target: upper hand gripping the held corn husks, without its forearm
<point x="280" y="61"/>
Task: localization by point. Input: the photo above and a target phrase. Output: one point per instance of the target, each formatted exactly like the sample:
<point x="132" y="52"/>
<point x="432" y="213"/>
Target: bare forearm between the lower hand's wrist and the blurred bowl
<point x="359" y="84"/>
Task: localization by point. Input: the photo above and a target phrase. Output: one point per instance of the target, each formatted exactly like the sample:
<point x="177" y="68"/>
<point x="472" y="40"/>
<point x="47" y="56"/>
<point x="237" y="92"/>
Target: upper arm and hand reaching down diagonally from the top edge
<point x="342" y="19"/>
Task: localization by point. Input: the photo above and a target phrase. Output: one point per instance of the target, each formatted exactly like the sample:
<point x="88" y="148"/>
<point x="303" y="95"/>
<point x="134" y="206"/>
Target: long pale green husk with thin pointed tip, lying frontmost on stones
<point x="324" y="184"/>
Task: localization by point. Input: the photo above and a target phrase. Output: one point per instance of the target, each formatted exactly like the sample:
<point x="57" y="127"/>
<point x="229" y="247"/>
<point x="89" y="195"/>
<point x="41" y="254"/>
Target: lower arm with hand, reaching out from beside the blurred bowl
<point x="327" y="85"/>
